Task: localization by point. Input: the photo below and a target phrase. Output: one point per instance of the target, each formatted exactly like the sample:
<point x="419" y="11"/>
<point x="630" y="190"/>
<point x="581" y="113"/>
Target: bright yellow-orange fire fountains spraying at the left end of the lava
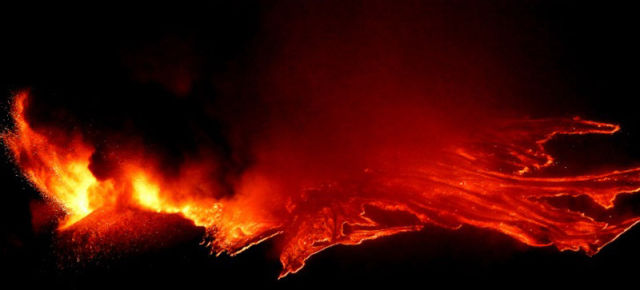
<point x="61" y="172"/>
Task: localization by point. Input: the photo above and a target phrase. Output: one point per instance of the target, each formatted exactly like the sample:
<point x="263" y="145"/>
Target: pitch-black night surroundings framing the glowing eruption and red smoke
<point x="565" y="57"/>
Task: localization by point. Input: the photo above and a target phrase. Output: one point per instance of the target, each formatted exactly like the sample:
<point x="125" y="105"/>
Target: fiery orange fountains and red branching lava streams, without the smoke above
<point x="483" y="183"/>
